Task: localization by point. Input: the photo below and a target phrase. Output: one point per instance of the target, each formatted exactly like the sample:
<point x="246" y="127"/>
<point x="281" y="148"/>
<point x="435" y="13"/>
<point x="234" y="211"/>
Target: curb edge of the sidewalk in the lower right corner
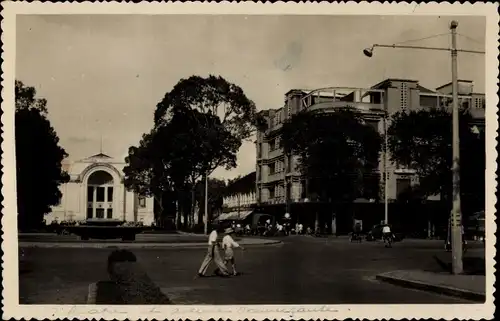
<point x="439" y="289"/>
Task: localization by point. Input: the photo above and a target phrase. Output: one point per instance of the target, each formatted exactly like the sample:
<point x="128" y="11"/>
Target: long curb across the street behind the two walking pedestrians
<point x="132" y="245"/>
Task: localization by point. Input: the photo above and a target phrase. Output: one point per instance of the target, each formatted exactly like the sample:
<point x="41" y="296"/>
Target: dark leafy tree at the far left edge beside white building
<point x="38" y="159"/>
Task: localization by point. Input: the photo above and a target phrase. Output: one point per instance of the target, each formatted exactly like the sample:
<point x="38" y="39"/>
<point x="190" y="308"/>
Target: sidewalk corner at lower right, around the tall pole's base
<point x="469" y="287"/>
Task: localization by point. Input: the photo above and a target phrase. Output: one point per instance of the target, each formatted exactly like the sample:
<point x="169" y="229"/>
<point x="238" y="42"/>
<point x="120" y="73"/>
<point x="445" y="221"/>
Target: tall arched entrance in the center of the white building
<point x="100" y="195"/>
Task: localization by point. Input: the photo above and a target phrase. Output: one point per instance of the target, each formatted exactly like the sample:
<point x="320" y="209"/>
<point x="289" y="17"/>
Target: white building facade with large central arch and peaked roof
<point x="96" y="191"/>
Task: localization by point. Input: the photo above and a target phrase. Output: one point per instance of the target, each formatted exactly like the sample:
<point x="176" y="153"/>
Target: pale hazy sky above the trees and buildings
<point x="103" y="75"/>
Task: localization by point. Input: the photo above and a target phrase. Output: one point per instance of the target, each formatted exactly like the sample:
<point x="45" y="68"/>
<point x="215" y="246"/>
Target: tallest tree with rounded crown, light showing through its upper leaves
<point x="220" y="117"/>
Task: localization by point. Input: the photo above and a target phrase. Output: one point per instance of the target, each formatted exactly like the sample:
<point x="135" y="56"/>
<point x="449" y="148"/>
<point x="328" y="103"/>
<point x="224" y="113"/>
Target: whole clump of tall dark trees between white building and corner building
<point x="198" y="126"/>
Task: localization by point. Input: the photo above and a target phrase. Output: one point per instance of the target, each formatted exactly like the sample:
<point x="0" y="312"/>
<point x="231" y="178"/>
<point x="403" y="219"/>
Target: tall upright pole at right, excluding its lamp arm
<point x="456" y="220"/>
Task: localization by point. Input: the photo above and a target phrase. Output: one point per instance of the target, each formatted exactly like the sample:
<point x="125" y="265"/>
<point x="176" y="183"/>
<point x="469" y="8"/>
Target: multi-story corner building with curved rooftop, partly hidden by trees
<point x="278" y="179"/>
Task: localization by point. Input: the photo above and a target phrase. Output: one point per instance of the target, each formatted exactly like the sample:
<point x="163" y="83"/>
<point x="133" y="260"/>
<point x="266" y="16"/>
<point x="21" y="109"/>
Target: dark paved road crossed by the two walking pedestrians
<point x="303" y="270"/>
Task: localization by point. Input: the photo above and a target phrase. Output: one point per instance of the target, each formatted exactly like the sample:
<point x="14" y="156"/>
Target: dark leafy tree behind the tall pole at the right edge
<point x="422" y="140"/>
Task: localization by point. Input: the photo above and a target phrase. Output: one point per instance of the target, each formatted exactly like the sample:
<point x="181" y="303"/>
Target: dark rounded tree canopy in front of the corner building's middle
<point x="336" y="151"/>
